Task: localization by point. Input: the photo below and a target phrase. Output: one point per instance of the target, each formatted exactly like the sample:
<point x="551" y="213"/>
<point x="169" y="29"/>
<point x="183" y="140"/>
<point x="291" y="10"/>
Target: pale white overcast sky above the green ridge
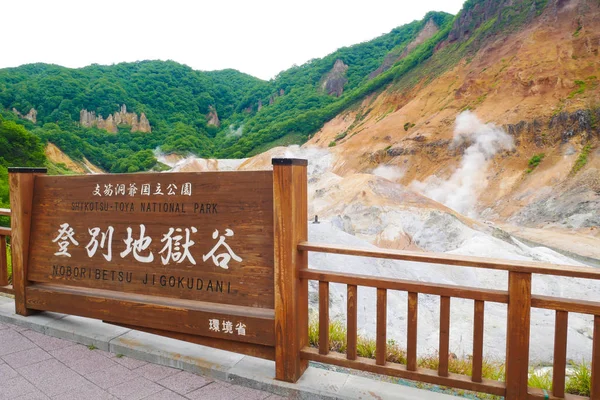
<point x="259" y="37"/>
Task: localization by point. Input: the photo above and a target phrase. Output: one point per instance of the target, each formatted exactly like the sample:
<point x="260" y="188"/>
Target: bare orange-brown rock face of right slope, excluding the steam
<point x="548" y="67"/>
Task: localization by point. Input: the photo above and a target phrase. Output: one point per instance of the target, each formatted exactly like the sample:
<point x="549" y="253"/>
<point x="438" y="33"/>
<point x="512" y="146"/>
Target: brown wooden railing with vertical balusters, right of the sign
<point x="518" y="298"/>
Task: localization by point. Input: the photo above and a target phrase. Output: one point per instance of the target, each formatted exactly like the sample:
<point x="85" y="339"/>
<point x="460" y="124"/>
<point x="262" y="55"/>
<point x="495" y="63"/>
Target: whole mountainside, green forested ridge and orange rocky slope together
<point x="492" y="112"/>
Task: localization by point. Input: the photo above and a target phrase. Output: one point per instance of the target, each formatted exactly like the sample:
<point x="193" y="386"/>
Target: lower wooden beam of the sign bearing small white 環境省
<point x="184" y="316"/>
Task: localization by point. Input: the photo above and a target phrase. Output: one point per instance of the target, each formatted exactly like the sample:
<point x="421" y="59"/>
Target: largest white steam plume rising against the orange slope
<point x="461" y="190"/>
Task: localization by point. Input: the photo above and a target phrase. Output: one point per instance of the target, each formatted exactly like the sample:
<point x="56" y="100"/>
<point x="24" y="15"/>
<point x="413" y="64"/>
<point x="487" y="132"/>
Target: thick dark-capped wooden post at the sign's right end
<point x="291" y="292"/>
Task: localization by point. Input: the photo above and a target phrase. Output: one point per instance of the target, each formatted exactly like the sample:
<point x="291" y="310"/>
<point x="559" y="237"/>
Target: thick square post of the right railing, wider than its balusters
<point x="517" y="335"/>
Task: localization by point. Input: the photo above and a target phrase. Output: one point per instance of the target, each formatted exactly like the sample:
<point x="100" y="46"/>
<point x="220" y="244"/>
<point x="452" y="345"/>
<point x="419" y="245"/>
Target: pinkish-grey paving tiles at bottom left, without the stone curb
<point x="35" y="366"/>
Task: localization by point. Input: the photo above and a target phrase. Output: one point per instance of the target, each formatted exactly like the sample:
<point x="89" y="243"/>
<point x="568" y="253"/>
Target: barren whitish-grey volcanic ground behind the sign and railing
<point x="362" y="210"/>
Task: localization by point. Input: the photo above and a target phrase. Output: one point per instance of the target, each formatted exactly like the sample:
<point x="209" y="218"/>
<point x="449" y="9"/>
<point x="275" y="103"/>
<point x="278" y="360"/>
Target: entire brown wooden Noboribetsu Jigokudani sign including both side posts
<point x="210" y="258"/>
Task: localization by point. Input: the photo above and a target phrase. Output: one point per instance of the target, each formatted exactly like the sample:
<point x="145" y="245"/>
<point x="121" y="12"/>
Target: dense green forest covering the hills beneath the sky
<point x="177" y="100"/>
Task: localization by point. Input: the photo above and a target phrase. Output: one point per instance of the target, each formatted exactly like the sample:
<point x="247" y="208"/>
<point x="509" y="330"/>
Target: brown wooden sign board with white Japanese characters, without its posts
<point x="200" y="245"/>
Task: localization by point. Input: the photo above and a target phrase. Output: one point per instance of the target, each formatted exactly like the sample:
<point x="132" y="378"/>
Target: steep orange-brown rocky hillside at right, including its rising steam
<point x="538" y="83"/>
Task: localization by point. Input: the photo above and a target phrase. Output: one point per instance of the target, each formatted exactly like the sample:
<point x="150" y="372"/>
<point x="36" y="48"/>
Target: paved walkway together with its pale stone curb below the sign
<point x="49" y="356"/>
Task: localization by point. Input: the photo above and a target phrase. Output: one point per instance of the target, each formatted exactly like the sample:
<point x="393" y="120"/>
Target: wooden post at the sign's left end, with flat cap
<point x="21" y="182"/>
